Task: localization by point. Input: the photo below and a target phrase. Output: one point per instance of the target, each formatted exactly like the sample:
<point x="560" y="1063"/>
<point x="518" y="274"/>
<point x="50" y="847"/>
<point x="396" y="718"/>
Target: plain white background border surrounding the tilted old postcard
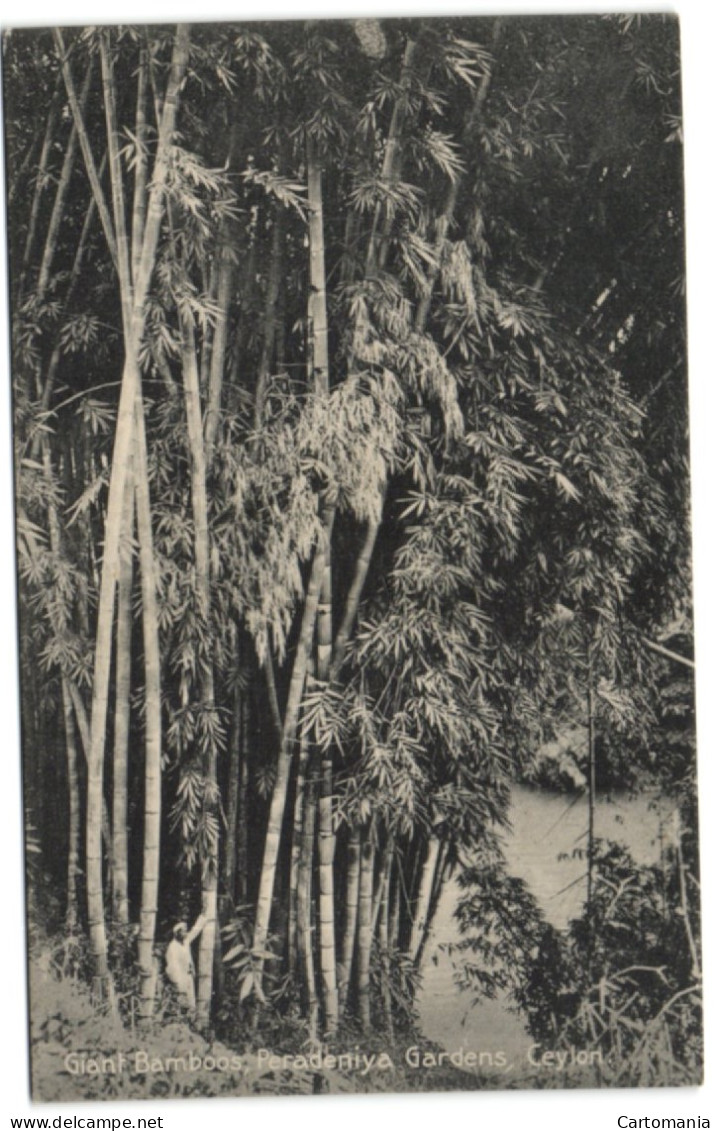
<point x="589" y="1110"/>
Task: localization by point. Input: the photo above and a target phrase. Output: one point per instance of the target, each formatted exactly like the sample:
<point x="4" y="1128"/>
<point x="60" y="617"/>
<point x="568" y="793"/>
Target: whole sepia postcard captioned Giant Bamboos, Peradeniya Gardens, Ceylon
<point x="350" y="425"/>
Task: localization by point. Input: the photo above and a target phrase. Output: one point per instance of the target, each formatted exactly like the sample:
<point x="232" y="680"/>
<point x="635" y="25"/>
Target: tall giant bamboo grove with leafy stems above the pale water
<point x="351" y="464"/>
